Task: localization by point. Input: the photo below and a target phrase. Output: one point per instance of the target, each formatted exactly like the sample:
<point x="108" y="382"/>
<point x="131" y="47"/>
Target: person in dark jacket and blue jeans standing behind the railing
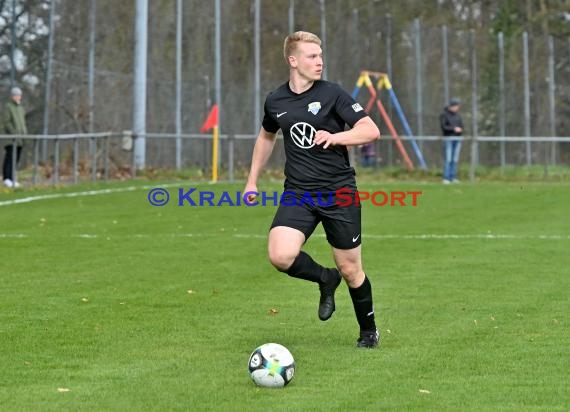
<point x="452" y="128"/>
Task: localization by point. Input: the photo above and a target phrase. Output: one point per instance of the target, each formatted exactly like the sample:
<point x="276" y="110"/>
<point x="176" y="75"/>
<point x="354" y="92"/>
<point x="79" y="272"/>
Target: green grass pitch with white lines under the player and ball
<point x="108" y="303"/>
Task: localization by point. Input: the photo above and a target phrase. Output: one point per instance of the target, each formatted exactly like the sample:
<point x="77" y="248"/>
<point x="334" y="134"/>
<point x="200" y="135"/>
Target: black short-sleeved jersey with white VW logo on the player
<point x="325" y="106"/>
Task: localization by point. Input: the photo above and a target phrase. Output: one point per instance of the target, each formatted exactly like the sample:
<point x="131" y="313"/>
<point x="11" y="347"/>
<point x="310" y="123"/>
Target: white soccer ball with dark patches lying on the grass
<point x="271" y="365"/>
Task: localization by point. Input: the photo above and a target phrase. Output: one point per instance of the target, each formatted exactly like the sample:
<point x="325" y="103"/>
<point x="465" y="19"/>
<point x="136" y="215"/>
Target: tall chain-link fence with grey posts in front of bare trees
<point x="514" y="85"/>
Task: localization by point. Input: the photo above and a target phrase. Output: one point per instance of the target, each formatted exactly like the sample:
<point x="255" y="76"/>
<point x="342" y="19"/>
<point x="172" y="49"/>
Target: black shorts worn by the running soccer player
<point x="341" y="223"/>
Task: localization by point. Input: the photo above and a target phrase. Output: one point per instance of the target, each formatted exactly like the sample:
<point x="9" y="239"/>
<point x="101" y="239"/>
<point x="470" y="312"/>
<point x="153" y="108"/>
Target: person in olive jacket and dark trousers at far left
<point x="14" y="123"/>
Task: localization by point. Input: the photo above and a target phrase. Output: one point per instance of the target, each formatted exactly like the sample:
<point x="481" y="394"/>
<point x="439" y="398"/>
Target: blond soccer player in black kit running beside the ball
<point x="312" y="115"/>
